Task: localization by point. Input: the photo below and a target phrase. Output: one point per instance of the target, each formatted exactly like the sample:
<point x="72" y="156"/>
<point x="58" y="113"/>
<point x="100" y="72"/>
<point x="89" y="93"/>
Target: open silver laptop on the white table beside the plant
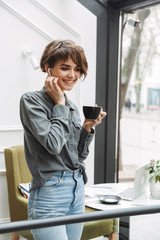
<point x="139" y="187"/>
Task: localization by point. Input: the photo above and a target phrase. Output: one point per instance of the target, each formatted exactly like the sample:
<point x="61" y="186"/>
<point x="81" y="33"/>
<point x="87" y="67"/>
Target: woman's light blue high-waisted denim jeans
<point x="61" y="195"/>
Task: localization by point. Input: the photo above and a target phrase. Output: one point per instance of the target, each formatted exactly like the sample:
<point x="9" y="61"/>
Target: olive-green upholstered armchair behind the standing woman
<point x="18" y="172"/>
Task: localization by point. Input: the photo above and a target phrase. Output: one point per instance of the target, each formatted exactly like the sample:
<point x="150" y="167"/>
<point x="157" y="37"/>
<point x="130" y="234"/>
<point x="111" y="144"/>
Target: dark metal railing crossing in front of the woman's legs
<point x="98" y="215"/>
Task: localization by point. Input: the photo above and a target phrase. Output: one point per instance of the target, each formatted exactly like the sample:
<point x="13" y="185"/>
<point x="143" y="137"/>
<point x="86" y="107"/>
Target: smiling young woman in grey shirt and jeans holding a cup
<point x="55" y="142"/>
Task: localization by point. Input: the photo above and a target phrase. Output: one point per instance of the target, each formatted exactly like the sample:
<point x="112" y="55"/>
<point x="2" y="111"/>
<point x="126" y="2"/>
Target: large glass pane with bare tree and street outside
<point x="140" y="91"/>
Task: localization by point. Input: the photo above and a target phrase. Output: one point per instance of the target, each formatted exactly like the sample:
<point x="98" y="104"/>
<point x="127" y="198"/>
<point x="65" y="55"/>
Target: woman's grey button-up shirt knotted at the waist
<point x="53" y="137"/>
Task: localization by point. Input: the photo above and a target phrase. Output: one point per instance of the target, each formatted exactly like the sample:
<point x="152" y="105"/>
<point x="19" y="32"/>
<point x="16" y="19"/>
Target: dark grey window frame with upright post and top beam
<point x="109" y="32"/>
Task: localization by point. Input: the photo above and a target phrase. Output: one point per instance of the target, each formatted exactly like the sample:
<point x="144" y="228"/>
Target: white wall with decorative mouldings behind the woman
<point x="31" y="23"/>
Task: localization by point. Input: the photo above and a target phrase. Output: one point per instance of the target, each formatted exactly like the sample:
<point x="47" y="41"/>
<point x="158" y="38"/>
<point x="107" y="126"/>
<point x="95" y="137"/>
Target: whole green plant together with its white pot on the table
<point x="154" y="178"/>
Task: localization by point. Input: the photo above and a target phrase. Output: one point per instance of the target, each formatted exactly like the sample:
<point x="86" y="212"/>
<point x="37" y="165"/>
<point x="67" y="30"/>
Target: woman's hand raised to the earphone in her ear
<point x="54" y="90"/>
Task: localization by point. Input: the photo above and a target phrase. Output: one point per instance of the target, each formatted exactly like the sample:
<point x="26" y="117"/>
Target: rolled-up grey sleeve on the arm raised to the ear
<point x="51" y="131"/>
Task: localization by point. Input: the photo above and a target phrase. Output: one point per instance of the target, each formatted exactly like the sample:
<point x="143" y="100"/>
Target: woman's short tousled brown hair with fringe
<point x="58" y="50"/>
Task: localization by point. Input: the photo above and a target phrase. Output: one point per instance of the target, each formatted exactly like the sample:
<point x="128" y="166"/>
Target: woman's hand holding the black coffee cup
<point x="88" y="124"/>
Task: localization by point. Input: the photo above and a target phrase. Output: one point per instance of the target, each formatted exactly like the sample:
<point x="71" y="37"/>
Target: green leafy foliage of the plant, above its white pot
<point x="154" y="170"/>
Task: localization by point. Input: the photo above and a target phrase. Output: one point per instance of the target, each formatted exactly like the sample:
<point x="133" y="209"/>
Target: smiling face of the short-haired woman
<point x="67" y="73"/>
